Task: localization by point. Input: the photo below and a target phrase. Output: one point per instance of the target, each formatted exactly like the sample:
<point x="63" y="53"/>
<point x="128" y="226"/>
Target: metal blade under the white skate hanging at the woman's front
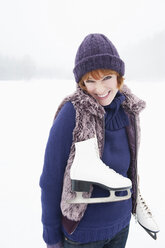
<point x="112" y="198"/>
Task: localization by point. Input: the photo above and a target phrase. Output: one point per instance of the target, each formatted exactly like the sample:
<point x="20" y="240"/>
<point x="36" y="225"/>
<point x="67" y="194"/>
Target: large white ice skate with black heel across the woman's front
<point x="88" y="168"/>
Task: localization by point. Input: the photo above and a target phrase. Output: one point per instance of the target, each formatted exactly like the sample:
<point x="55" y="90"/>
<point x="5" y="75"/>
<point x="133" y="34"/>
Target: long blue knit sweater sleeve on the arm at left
<point x="51" y="180"/>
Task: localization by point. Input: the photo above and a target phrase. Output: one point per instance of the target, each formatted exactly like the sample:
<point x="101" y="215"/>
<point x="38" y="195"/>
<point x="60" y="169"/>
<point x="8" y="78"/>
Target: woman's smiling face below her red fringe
<point x="103" y="90"/>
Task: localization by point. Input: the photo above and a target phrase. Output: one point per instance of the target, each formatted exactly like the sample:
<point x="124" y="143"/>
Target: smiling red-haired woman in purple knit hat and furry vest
<point x="102" y="107"/>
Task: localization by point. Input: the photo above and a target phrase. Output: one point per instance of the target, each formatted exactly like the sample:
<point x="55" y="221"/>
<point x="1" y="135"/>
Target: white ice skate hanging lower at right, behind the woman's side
<point x="145" y="218"/>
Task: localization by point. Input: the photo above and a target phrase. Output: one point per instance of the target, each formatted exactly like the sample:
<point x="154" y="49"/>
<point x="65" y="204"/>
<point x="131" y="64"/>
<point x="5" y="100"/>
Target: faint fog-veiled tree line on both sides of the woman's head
<point x="144" y="60"/>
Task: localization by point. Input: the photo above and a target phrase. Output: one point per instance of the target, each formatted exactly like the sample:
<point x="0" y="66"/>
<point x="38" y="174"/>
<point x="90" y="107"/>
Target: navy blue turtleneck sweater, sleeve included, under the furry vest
<point x="102" y="220"/>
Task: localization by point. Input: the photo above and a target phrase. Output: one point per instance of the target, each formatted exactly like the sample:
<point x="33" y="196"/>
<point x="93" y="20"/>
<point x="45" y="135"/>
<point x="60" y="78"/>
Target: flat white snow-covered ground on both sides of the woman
<point x="26" y="114"/>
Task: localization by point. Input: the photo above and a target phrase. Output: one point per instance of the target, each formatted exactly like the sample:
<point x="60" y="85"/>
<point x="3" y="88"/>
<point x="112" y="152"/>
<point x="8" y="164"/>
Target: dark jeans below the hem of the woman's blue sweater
<point x="119" y="241"/>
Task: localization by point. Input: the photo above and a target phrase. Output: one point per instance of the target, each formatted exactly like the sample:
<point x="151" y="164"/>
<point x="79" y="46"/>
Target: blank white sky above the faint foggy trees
<point x="50" y="31"/>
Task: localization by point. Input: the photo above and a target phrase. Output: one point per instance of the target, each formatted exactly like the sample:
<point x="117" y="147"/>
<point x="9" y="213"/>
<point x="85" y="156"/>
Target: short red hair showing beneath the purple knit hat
<point x="96" y="74"/>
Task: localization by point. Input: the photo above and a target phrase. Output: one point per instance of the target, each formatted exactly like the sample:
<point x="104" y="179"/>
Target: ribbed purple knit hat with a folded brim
<point x="97" y="52"/>
